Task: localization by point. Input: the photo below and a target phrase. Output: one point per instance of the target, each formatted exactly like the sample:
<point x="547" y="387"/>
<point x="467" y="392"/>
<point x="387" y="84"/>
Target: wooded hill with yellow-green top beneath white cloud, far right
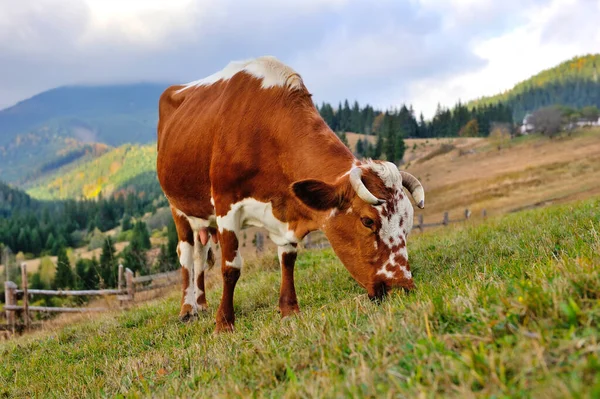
<point x="573" y="83"/>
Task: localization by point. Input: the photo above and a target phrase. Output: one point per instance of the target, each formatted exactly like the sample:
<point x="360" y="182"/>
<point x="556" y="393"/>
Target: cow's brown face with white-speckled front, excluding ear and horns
<point x="371" y="238"/>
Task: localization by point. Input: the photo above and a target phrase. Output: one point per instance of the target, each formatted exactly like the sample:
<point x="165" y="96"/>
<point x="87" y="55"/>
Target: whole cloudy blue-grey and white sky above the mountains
<point x="385" y="53"/>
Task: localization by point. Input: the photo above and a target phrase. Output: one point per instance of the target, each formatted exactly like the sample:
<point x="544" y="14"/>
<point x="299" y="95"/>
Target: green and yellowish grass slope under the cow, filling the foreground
<point x="509" y="308"/>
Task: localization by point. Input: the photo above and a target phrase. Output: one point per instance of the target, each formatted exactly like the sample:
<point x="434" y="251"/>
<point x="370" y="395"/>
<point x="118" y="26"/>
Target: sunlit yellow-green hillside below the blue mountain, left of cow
<point x="103" y="175"/>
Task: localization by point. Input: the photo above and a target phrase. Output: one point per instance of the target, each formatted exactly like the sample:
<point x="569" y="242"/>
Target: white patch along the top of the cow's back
<point x="269" y="69"/>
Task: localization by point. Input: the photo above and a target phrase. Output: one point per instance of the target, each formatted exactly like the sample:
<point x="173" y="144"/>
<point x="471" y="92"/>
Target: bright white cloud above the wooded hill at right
<point x="535" y="43"/>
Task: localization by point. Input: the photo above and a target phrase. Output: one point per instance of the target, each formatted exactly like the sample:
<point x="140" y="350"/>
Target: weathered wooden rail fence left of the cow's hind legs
<point x="128" y="285"/>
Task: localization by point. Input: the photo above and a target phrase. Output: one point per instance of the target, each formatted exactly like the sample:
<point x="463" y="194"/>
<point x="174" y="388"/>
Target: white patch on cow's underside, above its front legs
<point x="250" y="212"/>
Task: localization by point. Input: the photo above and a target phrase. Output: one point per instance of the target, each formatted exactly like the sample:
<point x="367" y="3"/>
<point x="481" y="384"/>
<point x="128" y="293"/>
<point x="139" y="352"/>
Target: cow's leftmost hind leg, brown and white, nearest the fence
<point x="185" y="251"/>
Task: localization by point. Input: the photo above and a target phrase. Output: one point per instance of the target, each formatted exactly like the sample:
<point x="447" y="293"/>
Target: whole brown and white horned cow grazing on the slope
<point x="247" y="147"/>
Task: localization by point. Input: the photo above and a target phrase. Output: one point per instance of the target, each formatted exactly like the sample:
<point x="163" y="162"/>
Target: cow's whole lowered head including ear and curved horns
<point x="368" y="220"/>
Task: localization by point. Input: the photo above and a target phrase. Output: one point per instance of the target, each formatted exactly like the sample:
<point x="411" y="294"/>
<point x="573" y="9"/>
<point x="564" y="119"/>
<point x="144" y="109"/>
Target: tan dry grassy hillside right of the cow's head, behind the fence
<point x="524" y="172"/>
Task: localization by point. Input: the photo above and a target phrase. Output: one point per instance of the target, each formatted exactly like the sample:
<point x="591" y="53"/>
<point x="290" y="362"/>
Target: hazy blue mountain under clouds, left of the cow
<point x="66" y="123"/>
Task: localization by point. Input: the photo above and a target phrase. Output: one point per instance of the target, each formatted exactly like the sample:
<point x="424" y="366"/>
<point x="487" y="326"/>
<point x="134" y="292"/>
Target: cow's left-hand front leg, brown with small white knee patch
<point x="231" y="265"/>
